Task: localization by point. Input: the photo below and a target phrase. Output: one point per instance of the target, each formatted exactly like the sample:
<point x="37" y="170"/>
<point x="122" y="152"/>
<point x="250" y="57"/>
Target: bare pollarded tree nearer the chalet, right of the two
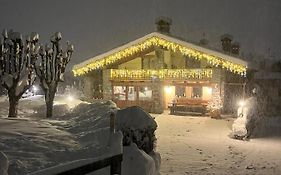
<point x="51" y="67"/>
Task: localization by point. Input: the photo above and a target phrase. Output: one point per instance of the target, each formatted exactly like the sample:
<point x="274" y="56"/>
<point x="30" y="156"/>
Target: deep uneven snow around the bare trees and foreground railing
<point x="78" y="131"/>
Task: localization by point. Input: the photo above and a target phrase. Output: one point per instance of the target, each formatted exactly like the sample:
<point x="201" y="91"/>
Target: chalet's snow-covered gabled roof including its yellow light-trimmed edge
<point x="231" y="63"/>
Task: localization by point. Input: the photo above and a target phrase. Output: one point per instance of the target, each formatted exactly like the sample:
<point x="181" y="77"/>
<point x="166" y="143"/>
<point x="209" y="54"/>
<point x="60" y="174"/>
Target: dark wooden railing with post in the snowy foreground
<point x="86" y="166"/>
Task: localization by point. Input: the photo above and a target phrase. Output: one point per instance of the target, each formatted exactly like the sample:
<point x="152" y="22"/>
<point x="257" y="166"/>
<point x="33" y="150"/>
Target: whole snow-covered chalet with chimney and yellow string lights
<point x="156" y="69"/>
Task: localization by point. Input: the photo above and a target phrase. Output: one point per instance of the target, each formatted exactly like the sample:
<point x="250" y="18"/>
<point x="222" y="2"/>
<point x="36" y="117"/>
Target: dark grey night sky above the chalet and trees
<point x="95" y="26"/>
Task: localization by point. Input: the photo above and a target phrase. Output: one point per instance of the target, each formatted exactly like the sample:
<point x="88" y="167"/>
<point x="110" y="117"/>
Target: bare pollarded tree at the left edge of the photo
<point x="17" y="61"/>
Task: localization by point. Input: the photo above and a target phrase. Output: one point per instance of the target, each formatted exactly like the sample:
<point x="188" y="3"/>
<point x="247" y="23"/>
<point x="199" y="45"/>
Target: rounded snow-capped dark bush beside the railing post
<point x="137" y="127"/>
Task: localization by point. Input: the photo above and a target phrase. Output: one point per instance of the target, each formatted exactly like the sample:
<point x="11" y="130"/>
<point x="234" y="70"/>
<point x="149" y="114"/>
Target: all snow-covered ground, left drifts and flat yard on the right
<point x="188" y="145"/>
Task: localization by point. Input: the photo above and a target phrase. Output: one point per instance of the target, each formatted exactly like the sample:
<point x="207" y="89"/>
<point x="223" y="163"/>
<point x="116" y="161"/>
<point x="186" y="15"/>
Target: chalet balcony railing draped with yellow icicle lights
<point x="127" y="74"/>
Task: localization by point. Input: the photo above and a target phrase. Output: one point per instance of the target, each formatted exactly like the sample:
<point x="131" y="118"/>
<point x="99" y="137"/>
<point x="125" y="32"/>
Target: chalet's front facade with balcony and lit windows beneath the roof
<point x="155" y="76"/>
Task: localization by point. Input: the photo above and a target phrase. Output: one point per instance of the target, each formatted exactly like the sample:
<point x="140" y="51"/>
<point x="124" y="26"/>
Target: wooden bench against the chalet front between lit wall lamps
<point x="188" y="105"/>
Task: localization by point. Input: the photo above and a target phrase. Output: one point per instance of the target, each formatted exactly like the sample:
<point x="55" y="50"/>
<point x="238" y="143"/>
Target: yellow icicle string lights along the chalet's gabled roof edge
<point x="157" y="41"/>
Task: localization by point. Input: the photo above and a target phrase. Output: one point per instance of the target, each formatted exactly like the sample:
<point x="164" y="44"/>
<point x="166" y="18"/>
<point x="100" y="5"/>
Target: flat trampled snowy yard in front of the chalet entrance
<point x="200" y="145"/>
